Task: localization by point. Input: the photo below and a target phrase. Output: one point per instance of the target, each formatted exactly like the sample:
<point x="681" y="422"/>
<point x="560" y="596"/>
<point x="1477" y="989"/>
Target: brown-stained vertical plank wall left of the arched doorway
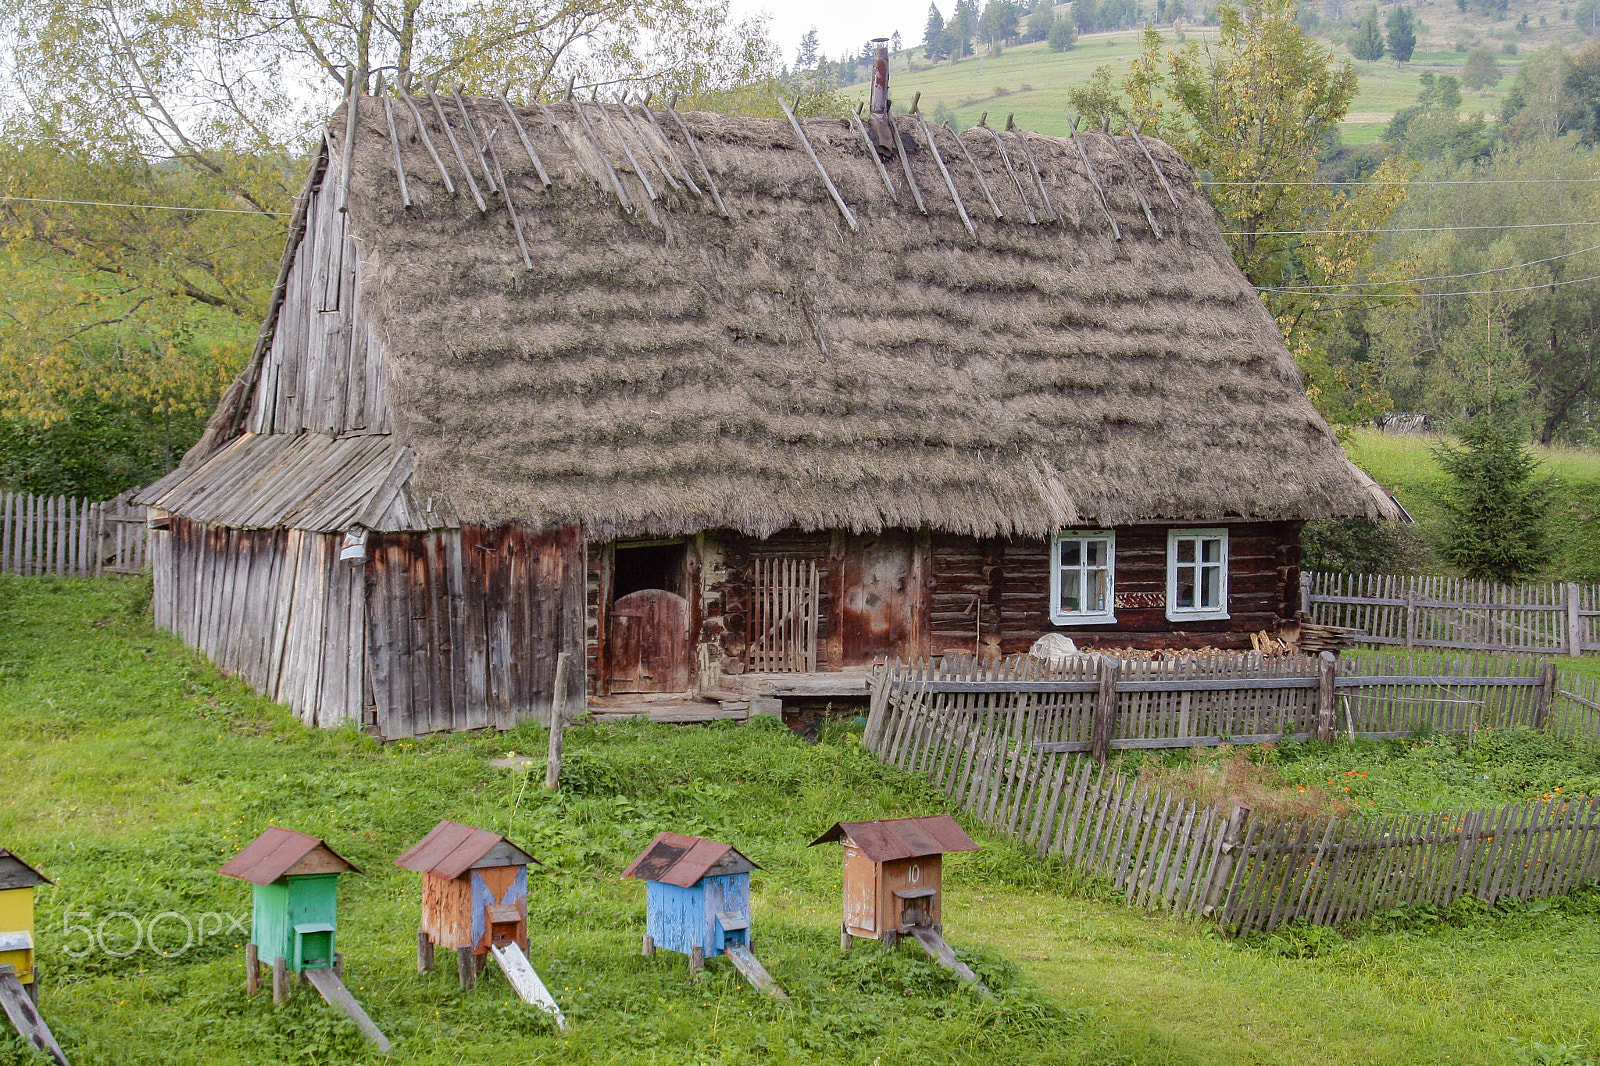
<point x="466" y="627"/>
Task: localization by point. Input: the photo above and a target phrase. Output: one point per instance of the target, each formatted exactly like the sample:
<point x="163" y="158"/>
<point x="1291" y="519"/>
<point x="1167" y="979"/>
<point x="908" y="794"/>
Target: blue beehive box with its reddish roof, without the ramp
<point x="697" y="897"/>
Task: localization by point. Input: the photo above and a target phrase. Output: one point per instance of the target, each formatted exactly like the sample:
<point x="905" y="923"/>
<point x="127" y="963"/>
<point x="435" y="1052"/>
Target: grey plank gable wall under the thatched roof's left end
<point x="326" y="371"/>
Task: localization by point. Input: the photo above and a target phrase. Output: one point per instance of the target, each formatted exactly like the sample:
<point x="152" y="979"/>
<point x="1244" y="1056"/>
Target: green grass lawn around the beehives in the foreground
<point x="137" y="771"/>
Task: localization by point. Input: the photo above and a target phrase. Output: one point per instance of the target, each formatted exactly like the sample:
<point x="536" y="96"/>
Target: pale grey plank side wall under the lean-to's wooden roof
<point x="273" y="607"/>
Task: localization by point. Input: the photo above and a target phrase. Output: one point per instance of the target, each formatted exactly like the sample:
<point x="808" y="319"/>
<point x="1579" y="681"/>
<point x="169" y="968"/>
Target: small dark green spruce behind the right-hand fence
<point x="1495" y="511"/>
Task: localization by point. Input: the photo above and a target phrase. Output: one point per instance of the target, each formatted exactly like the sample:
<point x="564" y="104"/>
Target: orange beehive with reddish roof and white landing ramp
<point x="476" y="904"/>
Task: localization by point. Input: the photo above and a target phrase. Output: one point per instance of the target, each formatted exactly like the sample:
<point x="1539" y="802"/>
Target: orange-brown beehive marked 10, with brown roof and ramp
<point x="895" y="883"/>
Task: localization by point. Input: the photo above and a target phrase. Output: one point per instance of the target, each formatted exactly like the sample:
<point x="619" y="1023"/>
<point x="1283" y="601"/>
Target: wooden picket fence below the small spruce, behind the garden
<point x="1418" y="612"/>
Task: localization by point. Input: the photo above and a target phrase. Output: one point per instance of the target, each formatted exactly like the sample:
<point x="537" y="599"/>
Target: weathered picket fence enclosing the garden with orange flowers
<point x="985" y="739"/>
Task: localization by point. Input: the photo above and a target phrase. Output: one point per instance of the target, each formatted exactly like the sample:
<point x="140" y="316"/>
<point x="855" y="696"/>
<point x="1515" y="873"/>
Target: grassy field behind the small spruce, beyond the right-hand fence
<point x="1406" y="465"/>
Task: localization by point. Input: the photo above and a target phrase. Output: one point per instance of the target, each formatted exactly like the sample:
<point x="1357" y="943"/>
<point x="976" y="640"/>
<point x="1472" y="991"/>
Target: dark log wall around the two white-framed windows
<point x="1010" y="583"/>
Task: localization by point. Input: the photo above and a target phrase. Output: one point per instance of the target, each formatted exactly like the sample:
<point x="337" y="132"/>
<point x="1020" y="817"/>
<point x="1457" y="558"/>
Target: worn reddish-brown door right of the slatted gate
<point x="878" y="598"/>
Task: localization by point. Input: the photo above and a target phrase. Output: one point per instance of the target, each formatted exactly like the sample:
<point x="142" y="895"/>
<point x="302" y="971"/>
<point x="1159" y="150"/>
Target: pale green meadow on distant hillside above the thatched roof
<point x="1033" y="82"/>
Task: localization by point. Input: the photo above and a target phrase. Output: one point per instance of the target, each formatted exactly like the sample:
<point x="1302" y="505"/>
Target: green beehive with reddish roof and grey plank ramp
<point x="295" y="916"/>
